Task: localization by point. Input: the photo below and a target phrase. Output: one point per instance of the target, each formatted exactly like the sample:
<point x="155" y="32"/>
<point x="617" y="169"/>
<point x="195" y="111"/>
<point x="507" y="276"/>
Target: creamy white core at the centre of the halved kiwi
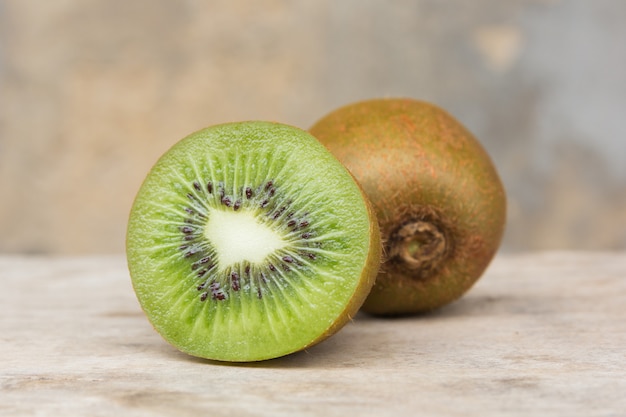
<point x="239" y="236"/>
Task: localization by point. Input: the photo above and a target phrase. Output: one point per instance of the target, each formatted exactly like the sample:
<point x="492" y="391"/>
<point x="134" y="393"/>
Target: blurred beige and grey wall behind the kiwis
<point x="92" y="92"/>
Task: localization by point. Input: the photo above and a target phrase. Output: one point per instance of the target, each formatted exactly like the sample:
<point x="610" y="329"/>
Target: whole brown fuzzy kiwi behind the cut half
<point x="438" y="198"/>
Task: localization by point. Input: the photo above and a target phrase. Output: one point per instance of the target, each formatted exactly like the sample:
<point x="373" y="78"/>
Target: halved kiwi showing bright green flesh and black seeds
<point x="249" y="241"/>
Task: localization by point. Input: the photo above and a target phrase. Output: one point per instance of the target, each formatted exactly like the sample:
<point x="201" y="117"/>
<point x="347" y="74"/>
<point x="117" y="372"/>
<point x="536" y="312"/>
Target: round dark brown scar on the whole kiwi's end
<point x="418" y="245"/>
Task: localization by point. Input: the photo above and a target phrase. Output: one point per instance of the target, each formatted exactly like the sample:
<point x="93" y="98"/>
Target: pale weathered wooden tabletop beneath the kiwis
<point x="540" y="334"/>
